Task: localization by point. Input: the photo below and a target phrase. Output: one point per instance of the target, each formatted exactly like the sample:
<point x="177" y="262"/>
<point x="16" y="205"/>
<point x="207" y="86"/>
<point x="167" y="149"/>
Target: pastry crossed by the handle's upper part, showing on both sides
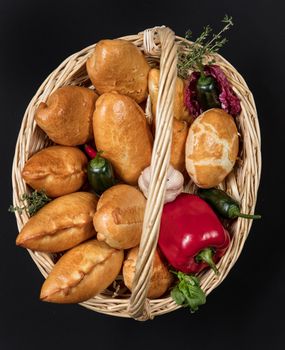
<point x="180" y="110"/>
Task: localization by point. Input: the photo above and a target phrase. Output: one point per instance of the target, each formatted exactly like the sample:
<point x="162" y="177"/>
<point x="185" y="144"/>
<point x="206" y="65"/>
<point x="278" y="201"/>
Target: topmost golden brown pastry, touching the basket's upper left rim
<point x="118" y="65"/>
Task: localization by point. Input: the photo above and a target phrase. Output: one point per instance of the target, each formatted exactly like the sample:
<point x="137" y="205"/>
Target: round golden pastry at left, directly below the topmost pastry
<point x="66" y="117"/>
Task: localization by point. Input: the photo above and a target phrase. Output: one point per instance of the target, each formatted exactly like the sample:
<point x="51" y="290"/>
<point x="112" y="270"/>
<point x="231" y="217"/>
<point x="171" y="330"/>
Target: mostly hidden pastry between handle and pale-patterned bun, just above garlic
<point x="179" y="136"/>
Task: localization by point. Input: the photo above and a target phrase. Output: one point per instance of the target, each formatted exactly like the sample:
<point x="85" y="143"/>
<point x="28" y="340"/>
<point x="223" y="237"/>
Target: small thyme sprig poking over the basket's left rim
<point x="32" y="202"/>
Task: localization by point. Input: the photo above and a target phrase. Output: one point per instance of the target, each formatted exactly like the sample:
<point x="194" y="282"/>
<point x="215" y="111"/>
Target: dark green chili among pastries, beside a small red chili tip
<point x="100" y="174"/>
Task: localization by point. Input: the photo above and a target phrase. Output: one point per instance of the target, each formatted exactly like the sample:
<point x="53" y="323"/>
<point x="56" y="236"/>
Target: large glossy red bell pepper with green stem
<point x="191" y="235"/>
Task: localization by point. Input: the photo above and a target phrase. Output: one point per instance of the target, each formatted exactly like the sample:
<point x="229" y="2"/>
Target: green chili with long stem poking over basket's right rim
<point x="223" y="204"/>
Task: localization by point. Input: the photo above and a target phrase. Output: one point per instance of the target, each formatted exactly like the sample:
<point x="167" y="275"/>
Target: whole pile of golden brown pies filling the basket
<point x="99" y="236"/>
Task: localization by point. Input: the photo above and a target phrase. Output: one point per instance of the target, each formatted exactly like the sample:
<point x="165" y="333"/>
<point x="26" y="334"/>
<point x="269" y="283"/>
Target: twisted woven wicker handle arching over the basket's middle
<point x="138" y="305"/>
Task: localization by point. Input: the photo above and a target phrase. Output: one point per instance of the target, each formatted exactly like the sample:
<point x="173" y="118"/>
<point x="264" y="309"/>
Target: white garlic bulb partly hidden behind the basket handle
<point x="174" y="185"/>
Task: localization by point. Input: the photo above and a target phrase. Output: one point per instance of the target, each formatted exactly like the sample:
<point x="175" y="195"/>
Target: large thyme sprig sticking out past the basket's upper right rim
<point x="192" y="55"/>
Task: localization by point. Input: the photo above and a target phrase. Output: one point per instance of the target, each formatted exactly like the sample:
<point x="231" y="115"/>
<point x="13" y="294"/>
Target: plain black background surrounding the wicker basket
<point x="247" y="310"/>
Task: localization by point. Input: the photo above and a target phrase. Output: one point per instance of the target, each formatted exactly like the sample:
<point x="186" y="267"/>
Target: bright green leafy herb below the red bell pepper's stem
<point x="188" y="292"/>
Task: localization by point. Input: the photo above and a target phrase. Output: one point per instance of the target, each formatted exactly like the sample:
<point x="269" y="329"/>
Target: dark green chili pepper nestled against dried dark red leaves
<point x="207" y="91"/>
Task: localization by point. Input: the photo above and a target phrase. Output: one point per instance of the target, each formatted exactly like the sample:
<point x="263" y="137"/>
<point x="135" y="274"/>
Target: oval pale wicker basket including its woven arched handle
<point x="159" y="45"/>
